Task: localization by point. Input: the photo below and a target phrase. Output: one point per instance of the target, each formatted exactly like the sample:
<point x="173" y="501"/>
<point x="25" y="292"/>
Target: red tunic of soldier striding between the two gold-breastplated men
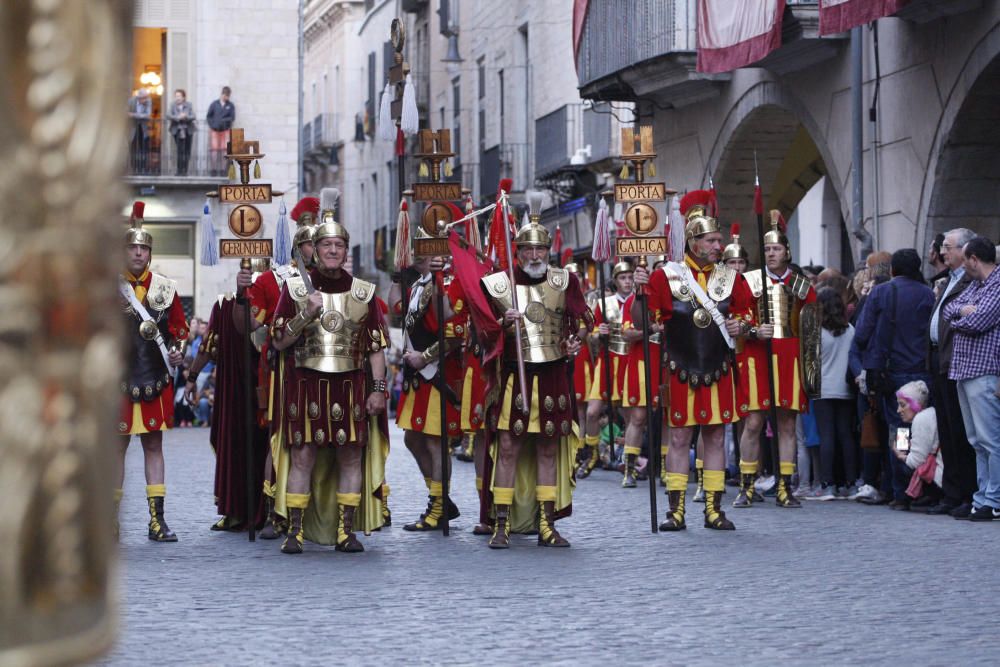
<point x="420" y="403"/>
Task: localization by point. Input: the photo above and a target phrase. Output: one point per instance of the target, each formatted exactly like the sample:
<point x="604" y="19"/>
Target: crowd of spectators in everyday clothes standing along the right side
<point x="909" y="414"/>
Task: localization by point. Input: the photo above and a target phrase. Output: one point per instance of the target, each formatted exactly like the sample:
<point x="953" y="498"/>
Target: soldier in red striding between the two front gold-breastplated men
<point x="419" y="411"/>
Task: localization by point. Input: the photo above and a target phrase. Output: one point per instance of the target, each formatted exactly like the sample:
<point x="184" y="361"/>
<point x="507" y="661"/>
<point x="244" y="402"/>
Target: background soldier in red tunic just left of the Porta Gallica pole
<point x="611" y="313"/>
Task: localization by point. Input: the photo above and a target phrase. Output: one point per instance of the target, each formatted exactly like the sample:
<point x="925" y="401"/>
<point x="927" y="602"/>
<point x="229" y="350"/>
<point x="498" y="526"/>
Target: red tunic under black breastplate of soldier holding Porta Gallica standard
<point x="719" y="402"/>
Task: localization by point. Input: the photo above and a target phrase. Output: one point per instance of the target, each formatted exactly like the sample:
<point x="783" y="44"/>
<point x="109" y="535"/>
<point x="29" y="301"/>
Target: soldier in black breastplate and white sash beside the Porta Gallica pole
<point x="697" y="301"/>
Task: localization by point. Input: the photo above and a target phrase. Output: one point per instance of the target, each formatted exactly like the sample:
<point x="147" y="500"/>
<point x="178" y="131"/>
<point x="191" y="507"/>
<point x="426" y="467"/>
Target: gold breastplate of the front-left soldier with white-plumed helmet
<point x="334" y="342"/>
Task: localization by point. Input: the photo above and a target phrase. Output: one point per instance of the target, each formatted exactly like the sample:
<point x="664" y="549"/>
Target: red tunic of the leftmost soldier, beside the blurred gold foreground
<point x="136" y="417"/>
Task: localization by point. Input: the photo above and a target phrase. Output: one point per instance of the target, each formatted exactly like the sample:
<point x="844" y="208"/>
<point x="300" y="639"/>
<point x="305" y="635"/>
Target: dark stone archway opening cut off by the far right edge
<point x="960" y="186"/>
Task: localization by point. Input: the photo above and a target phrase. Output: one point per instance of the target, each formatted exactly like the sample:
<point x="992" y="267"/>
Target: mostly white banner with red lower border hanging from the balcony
<point x="733" y="34"/>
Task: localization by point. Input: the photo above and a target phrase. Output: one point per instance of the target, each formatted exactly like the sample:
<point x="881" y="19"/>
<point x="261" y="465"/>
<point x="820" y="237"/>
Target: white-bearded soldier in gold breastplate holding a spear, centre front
<point x="549" y="307"/>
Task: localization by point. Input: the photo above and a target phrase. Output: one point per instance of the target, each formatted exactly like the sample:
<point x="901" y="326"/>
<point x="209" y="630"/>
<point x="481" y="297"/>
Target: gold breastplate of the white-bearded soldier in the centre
<point x="543" y="307"/>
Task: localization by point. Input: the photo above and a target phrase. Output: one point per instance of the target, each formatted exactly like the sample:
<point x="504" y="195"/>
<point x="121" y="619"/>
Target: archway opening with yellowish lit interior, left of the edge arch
<point x="792" y="156"/>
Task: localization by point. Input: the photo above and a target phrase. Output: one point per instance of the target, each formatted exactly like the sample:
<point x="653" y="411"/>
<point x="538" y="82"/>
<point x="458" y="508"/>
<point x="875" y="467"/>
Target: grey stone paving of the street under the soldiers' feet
<point x="835" y="583"/>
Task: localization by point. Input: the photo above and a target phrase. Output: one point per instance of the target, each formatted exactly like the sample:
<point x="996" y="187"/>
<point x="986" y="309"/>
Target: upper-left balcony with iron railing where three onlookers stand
<point x="157" y="156"/>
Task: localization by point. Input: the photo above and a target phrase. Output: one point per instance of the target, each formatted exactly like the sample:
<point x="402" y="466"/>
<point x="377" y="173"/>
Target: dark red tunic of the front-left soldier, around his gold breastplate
<point x="327" y="408"/>
